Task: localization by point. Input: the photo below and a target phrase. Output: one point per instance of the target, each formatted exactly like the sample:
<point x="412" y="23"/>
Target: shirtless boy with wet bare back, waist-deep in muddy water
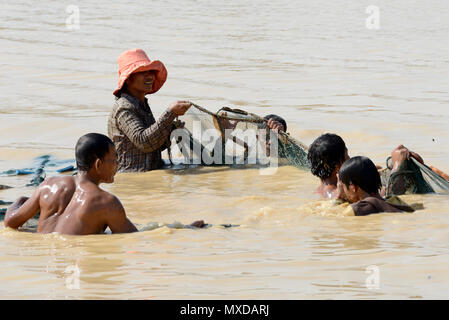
<point x="75" y="204"/>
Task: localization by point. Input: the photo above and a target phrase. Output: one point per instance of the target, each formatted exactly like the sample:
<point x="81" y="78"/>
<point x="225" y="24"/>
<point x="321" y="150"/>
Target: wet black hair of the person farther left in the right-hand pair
<point x="325" y="154"/>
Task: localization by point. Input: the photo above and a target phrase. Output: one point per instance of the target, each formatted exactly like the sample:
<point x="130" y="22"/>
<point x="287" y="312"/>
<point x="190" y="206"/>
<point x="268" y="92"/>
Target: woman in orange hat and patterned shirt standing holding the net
<point x="138" y="137"/>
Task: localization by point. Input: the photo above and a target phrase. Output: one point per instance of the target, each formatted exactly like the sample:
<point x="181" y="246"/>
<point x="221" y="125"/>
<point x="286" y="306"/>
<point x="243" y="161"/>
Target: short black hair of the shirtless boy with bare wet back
<point x="89" y="148"/>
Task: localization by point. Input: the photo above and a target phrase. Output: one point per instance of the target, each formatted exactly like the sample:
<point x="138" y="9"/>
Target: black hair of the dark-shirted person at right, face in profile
<point x="362" y="172"/>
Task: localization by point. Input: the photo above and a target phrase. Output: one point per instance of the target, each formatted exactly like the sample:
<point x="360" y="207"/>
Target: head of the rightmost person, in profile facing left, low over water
<point x="359" y="178"/>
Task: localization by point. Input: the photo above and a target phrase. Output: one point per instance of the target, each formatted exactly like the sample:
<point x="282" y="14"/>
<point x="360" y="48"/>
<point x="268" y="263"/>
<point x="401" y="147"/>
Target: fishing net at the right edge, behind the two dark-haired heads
<point x="413" y="177"/>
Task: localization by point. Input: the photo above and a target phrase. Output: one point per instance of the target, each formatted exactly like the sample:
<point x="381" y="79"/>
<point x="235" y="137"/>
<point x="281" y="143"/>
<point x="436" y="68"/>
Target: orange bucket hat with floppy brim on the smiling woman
<point x="136" y="60"/>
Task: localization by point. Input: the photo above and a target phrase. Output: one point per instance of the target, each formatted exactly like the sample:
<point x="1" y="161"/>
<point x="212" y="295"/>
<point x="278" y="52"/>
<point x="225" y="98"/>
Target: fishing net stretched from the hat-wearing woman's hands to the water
<point x="233" y="137"/>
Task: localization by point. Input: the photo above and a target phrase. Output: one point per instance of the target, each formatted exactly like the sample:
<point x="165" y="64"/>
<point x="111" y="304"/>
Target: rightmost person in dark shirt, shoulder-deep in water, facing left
<point x="360" y="182"/>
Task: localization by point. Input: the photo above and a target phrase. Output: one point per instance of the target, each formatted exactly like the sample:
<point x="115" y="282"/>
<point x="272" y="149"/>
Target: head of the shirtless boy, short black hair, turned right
<point x="96" y="155"/>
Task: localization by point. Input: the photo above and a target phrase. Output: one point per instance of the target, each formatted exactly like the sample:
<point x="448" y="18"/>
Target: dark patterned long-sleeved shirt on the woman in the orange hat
<point x="138" y="137"/>
